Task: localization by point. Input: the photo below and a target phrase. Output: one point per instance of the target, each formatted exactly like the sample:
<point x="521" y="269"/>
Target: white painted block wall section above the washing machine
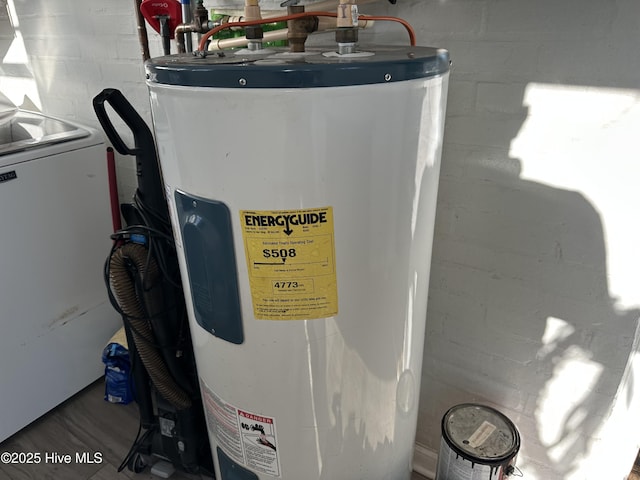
<point x="55" y="56"/>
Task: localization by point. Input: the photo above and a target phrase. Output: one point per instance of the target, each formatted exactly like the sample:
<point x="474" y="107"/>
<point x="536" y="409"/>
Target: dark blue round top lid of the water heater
<point x="315" y="68"/>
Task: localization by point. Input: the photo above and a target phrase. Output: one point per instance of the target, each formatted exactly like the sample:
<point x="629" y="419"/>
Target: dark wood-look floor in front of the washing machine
<point x="84" y="423"/>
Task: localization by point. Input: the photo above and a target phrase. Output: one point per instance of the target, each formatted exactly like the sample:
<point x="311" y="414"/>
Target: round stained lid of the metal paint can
<point x="480" y="434"/>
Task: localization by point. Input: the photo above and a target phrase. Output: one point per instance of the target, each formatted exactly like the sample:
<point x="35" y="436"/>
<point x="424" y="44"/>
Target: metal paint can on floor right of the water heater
<point x="478" y="443"/>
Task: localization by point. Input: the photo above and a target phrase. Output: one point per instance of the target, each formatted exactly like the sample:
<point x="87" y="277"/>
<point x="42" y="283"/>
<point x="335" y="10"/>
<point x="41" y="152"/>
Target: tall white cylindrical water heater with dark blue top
<point x="302" y="190"/>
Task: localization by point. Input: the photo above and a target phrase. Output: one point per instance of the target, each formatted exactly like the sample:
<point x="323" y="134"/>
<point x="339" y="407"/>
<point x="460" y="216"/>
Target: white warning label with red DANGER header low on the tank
<point x="248" y="438"/>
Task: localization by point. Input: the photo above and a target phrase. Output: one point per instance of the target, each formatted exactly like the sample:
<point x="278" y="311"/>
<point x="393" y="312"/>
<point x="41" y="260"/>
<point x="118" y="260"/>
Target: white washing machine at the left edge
<point x="55" y="317"/>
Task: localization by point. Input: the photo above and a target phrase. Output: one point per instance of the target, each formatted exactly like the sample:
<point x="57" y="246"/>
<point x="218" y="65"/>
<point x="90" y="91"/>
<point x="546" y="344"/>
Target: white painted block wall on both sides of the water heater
<point x="534" y="298"/>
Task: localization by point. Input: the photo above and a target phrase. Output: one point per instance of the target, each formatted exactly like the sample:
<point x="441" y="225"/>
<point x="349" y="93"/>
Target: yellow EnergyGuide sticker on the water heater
<point x="291" y="263"/>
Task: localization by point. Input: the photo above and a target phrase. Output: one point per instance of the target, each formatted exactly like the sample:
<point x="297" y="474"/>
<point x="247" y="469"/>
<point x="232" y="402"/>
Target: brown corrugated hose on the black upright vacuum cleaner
<point x="124" y="289"/>
